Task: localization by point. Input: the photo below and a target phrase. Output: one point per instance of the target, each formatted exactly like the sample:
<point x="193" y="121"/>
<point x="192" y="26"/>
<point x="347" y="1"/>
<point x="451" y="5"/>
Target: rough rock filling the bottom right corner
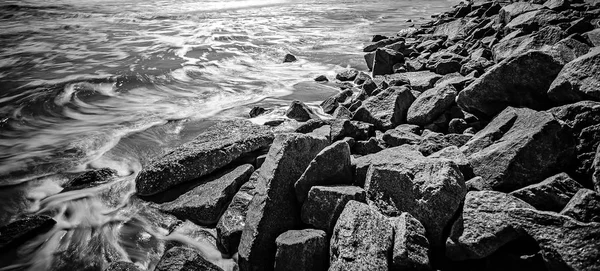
<point x="565" y="243"/>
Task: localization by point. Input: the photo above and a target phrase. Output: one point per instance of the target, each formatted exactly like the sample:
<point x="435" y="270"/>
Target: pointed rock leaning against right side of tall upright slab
<point x="330" y="166"/>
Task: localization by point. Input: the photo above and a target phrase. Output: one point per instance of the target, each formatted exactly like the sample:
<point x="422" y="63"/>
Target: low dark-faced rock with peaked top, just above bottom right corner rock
<point x="550" y="195"/>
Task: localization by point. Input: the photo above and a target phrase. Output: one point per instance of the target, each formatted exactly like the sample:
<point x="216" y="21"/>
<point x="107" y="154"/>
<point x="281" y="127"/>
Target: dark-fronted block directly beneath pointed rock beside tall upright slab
<point x="325" y="204"/>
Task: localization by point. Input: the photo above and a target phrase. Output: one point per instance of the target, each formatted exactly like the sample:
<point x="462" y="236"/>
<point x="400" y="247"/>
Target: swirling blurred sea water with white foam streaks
<point x="88" y="84"/>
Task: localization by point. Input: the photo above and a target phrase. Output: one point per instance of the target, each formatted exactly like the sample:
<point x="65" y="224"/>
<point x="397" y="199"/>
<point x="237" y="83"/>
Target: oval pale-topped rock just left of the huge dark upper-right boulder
<point x="430" y="105"/>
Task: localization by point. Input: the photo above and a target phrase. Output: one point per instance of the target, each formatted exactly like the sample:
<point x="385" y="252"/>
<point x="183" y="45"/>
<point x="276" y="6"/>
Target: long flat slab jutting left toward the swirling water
<point x="218" y="146"/>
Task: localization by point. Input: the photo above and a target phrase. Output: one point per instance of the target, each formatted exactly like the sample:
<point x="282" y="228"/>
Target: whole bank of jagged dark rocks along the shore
<point x="472" y="144"/>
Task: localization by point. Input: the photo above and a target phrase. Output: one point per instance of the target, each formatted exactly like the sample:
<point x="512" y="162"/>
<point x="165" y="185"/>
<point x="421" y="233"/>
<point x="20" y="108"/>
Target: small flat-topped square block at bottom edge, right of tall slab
<point x="299" y="250"/>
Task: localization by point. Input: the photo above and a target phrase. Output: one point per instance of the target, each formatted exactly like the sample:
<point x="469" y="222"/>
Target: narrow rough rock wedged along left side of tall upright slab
<point x="232" y="222"/>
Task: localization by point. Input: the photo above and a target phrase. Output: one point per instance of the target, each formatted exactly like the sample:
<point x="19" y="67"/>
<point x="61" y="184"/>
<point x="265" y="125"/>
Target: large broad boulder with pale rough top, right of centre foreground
<point x="429" y="189"/>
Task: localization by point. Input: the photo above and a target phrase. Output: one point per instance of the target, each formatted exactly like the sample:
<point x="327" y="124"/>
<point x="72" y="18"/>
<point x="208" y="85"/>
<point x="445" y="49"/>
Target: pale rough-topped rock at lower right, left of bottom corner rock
<point x="483" y="226"/>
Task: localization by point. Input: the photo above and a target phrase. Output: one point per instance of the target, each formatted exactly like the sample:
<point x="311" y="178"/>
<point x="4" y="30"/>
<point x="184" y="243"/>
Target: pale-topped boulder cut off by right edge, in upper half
<point x="579" y="80"/>
